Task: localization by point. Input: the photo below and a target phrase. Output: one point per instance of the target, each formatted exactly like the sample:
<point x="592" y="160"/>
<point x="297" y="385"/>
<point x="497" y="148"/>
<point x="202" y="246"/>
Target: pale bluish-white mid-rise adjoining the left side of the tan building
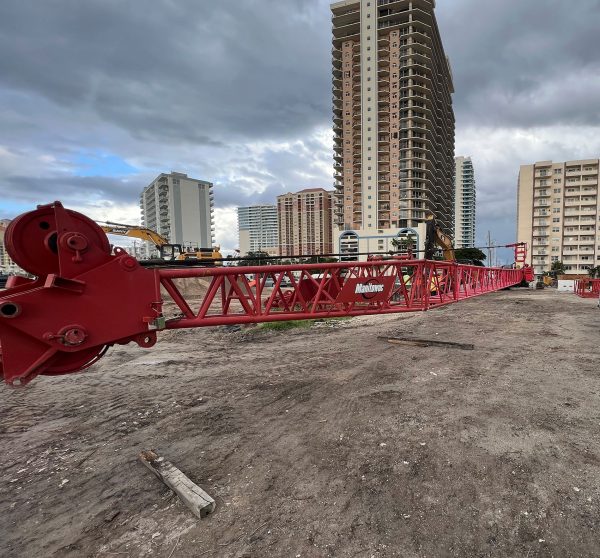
<point x="257" y="229"/>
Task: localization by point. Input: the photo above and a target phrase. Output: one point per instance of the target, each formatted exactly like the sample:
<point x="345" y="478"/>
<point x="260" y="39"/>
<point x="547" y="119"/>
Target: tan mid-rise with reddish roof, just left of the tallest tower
<point x="305" y="222"/>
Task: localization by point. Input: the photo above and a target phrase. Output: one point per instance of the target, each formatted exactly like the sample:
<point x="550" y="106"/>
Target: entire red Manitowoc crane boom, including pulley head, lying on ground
<point x="87" y="296"/>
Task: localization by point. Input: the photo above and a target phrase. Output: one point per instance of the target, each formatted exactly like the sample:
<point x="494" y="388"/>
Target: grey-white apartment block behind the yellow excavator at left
<point x="180" y="208"/>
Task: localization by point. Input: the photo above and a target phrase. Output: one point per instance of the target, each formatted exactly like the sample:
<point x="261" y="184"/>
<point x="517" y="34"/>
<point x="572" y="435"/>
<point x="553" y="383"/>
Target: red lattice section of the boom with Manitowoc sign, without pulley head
<point x="237" y="295"/>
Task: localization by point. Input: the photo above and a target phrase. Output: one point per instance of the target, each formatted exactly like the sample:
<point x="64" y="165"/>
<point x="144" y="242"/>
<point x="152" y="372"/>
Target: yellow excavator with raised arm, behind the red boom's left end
<point x="168" y="252"/>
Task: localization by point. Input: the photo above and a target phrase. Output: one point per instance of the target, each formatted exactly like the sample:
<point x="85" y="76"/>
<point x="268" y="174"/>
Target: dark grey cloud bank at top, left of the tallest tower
<point x="185" y="71"/>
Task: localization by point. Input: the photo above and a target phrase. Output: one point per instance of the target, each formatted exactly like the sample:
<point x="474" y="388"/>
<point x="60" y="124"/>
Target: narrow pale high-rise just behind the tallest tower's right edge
<point x="464" y="203"/>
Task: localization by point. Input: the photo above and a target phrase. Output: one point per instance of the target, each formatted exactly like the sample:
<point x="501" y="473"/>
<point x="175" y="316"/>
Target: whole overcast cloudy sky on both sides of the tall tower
<point x="99" y="96"/>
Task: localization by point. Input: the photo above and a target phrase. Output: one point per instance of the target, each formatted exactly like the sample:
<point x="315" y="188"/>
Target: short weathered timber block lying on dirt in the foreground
<point x="198" y="501"/>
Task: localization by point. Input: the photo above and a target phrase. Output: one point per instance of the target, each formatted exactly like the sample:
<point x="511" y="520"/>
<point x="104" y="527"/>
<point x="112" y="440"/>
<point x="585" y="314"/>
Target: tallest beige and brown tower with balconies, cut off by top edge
<point x="393" y="122"/>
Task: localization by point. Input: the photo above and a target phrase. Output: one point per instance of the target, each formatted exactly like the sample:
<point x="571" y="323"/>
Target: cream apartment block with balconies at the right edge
<point x="559" y="214"/>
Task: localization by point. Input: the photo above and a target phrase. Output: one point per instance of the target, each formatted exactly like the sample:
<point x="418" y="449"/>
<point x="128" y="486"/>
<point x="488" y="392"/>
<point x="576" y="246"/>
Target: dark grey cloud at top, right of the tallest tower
<point x="522" y="64"/>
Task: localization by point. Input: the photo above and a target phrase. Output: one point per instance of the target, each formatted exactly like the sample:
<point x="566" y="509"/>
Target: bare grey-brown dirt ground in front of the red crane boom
<point x="322" y="441"/>
